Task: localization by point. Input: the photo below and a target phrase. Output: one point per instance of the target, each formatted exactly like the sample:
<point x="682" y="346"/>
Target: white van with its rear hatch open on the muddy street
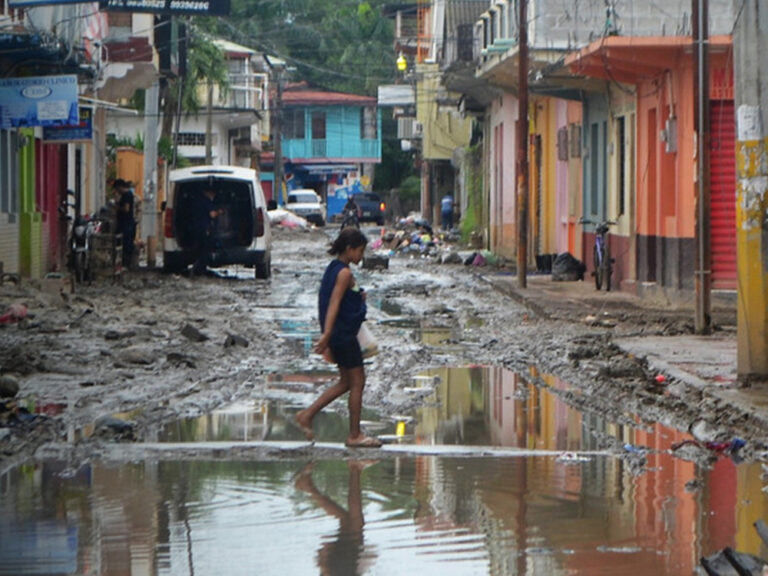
<point x="242" y="234"/>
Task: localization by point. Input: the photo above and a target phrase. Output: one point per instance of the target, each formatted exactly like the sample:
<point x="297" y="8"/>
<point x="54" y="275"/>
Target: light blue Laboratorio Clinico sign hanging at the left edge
<point x="38" y="101"/>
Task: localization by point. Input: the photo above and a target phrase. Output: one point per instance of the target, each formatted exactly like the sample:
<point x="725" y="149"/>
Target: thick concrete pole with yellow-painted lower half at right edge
<point x="750" y="41"/>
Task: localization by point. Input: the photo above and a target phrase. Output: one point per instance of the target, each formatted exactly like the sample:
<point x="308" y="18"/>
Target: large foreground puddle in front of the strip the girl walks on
<point x="525" y="516"/>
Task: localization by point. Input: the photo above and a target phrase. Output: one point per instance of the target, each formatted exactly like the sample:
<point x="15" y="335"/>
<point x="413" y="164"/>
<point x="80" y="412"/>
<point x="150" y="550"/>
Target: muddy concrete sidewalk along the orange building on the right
<point x="706" y="362"/>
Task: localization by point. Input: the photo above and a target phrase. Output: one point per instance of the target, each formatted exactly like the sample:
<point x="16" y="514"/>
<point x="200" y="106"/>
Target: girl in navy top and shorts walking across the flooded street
<point x="341" y="309"/>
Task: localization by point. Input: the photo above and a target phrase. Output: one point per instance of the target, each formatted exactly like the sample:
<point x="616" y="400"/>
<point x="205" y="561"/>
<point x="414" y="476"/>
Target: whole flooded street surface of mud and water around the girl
<point x="505" y="451"/>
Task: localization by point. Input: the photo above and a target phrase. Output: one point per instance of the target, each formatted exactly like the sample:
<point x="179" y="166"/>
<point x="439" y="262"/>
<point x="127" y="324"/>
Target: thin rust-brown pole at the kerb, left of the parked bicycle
<point x="522" y="147"/>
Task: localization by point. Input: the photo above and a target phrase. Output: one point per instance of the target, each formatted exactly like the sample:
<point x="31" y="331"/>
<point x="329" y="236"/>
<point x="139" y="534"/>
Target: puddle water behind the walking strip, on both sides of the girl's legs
<point x="472" y="406"/>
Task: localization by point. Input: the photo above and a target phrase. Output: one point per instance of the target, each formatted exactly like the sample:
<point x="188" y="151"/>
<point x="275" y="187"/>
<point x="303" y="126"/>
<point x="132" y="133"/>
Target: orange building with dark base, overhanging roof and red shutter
<point x="650" y="165"/>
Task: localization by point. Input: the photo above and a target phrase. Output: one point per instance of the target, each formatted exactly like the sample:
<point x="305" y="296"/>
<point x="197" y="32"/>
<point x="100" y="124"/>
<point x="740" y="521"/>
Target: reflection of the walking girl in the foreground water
<point x="345" y="554"/>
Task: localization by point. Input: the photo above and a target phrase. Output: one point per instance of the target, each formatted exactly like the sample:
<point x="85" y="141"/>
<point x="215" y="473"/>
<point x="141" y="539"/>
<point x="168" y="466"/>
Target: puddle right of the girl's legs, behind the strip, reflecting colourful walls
<point x="492" y="406"/>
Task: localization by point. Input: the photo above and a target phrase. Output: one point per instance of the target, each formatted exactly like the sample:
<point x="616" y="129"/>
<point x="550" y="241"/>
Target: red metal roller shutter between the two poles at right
<point x="723" y="195"/>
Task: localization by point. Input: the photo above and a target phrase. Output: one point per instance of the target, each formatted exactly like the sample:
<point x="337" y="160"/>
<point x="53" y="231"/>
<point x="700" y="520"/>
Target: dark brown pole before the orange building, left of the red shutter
<point x="703" y="273"/>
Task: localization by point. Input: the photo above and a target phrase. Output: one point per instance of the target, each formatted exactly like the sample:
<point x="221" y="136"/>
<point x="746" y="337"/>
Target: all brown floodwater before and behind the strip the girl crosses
<point x="558" y="512"/>
